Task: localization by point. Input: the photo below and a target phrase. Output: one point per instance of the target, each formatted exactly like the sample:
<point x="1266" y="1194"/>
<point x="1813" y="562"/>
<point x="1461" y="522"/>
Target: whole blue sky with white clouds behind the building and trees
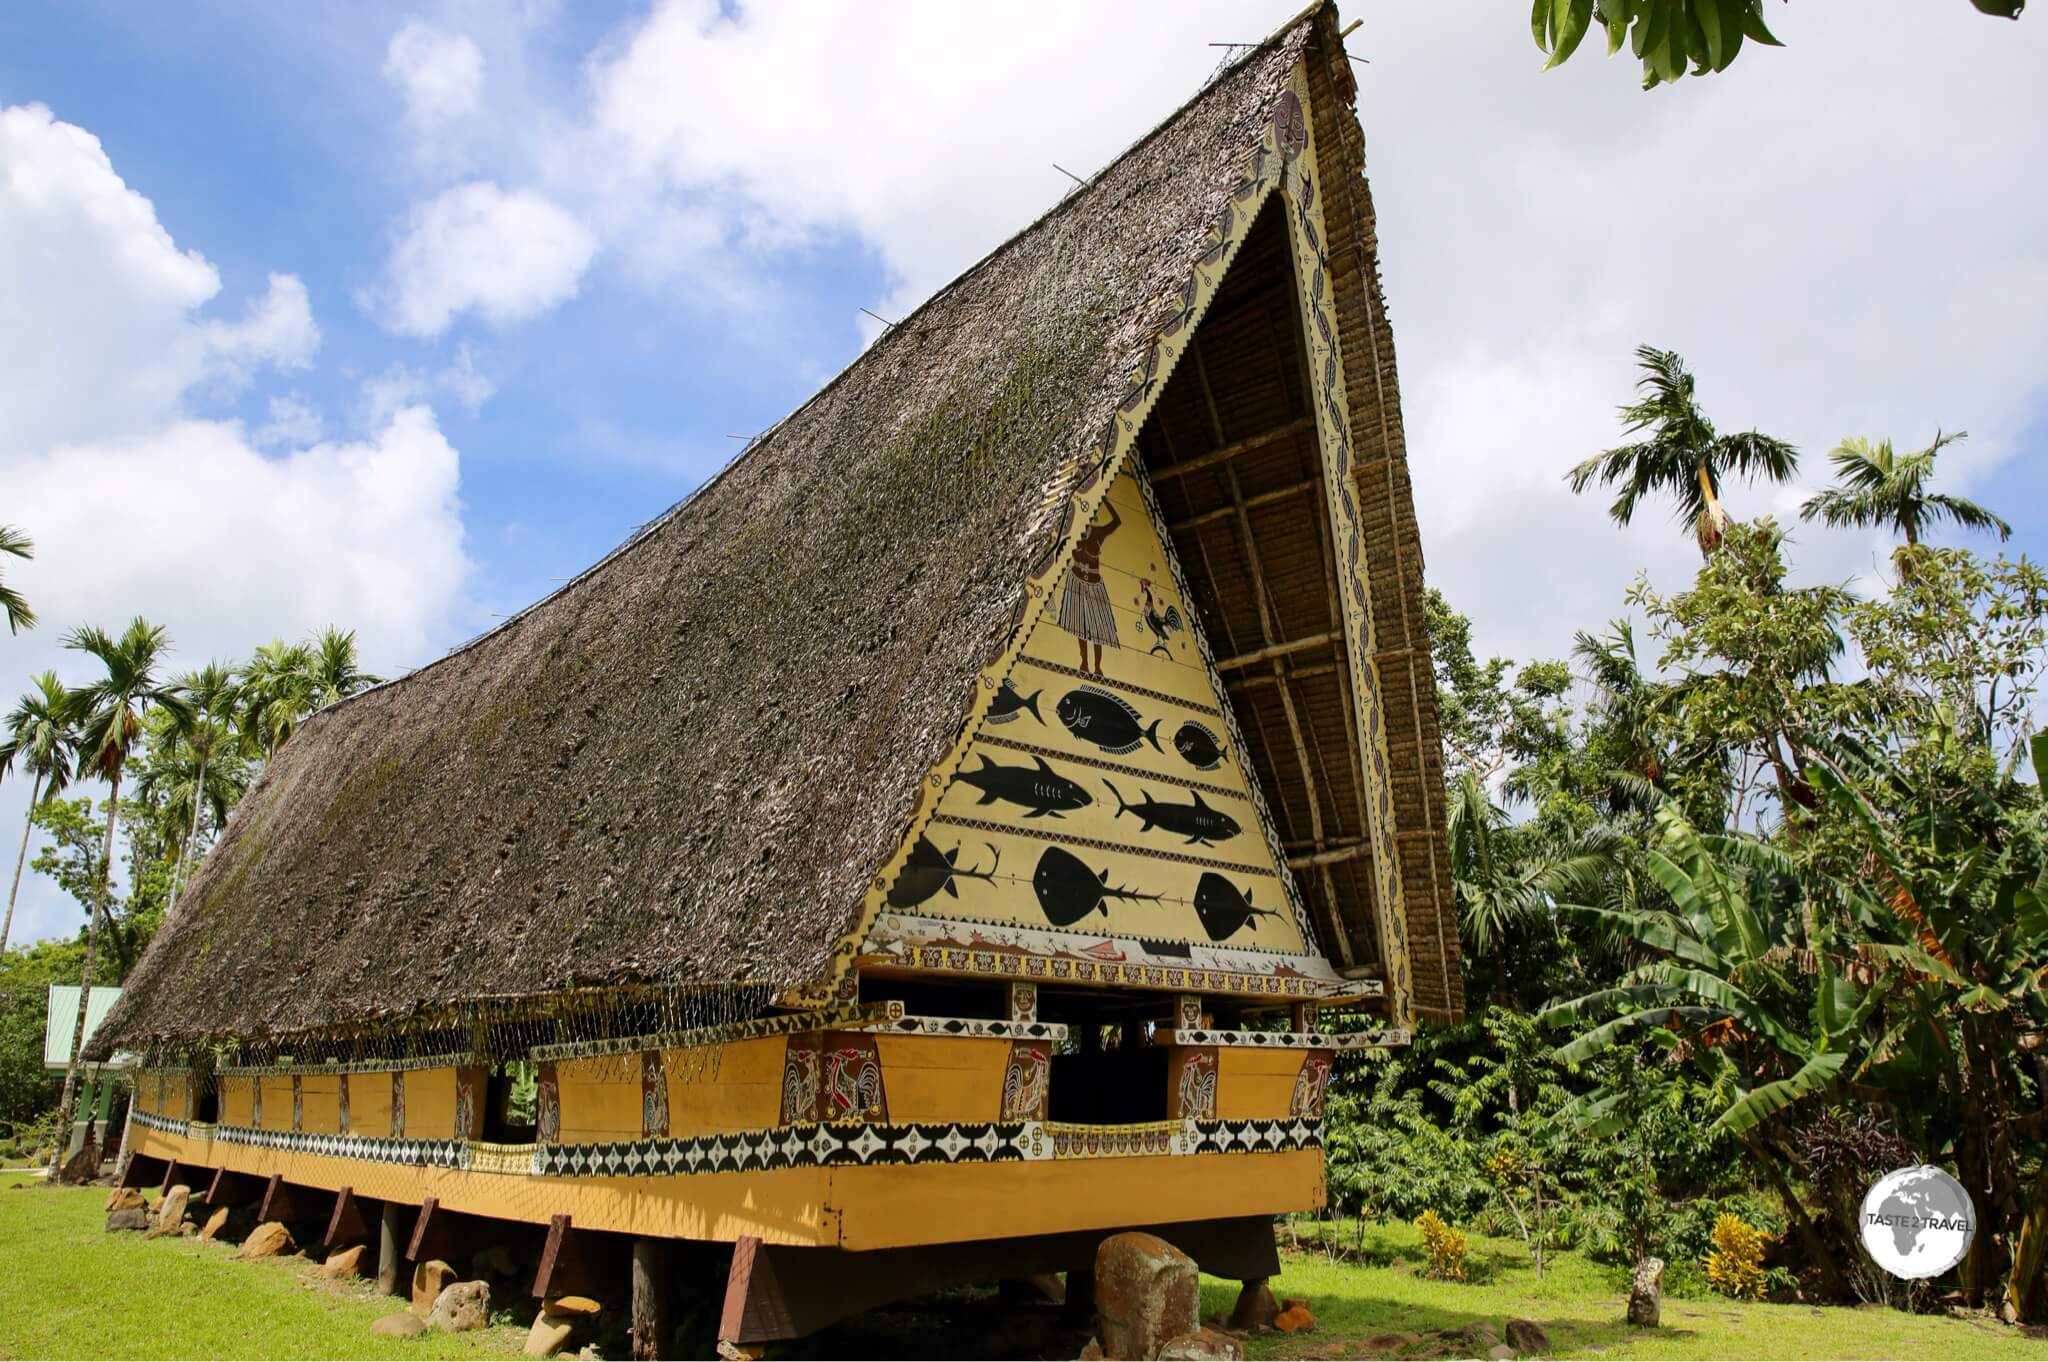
<point x="398" y="314"/>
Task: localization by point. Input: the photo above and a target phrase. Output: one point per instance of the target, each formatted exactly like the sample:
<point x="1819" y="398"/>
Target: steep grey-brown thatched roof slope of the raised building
<point x="687" y="765"/>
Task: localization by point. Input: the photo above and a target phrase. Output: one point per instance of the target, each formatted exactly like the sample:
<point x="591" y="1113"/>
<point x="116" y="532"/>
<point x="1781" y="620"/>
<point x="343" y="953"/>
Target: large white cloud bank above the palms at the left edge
<point x="142" y="507"/>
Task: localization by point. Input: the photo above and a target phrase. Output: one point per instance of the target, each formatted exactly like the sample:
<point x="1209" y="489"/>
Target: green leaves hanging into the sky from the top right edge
<point x="1674" y="38"/>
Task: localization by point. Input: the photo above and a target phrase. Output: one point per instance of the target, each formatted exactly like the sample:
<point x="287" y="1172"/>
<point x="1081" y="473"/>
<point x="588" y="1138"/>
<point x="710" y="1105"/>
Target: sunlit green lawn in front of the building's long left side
<point x="69" y="1289"/>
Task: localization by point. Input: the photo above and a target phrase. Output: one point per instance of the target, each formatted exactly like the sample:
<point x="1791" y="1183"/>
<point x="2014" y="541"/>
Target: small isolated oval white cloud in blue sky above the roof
<point x="505" y="255"/>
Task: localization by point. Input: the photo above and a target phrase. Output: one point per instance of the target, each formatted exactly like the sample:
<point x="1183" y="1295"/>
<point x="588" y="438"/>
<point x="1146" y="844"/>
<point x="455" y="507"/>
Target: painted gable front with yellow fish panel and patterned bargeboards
<point x="1035" y="845"/>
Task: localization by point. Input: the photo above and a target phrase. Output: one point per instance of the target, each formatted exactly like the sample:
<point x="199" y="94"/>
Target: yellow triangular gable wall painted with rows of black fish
<point x="1168" y="687"/>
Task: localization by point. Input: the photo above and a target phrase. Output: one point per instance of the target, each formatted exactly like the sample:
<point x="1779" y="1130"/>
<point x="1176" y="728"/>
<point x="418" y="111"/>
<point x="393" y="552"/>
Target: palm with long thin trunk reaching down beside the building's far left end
<point x="110" y="714"/>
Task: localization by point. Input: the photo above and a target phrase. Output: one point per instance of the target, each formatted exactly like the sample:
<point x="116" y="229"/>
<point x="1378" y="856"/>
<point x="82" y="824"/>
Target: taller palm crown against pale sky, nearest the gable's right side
<point x="1682" y="456"/>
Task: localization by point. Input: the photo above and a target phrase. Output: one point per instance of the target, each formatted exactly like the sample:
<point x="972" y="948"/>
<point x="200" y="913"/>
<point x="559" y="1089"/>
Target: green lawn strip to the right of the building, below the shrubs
<point x="1582" y="1308"/>
